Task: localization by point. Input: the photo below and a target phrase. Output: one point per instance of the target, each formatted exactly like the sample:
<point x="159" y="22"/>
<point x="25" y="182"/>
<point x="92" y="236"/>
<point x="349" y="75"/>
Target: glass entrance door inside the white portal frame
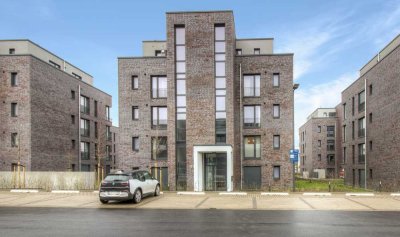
<point x="215" y="171"/>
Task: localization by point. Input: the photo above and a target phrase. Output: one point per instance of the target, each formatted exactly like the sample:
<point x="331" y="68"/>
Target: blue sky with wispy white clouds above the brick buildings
<point x="331" y="40"/>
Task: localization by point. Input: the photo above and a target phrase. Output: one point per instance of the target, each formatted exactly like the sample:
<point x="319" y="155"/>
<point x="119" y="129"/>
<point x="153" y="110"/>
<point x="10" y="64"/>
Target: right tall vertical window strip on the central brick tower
<point x="220" y="84"/>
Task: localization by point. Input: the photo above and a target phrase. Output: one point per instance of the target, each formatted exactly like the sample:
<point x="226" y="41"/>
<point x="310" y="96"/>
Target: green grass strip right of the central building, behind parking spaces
<point x="319" y="185"/>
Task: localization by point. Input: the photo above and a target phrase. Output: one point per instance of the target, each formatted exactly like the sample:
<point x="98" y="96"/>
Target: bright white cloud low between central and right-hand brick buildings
<point x="325" y="95"/>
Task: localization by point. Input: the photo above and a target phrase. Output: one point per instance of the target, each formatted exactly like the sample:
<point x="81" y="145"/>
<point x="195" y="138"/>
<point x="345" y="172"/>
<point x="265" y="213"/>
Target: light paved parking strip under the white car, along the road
<point x="171" y="200"/>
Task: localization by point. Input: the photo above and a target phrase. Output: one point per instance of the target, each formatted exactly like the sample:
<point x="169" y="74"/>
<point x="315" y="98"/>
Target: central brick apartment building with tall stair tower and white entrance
<point x="206" y="111"/>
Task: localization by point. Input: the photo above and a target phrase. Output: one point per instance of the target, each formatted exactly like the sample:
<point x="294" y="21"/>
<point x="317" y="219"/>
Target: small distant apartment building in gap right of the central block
<point x="318" y="144"/>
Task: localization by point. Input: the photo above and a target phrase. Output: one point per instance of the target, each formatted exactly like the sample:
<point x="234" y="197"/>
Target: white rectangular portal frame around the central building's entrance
<point x="198" y="164"/>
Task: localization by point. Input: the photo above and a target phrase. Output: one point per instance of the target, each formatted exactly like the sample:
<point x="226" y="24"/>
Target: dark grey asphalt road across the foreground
<point x="21" y="221"/>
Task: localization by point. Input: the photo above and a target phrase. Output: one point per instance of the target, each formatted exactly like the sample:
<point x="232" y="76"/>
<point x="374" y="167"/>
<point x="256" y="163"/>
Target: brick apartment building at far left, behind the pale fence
<point x="52" y="118"/>
